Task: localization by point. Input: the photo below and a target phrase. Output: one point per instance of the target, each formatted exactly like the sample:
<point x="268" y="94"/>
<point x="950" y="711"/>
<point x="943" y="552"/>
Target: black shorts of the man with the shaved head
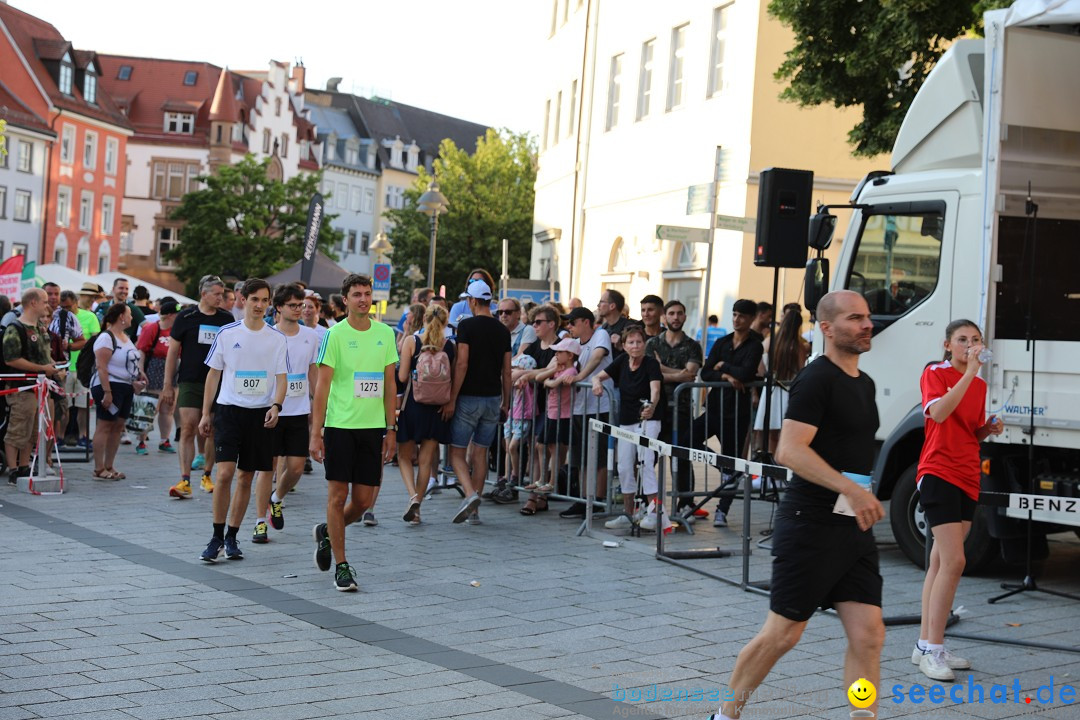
<point x="817" y="565"/>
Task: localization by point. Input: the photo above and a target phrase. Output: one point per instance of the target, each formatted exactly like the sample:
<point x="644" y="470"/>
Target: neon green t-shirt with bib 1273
<point x="360" y="361"/>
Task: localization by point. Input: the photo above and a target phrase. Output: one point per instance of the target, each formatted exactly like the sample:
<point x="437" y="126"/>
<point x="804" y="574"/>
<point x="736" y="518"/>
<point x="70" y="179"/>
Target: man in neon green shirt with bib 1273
<point x="356" y="402"/>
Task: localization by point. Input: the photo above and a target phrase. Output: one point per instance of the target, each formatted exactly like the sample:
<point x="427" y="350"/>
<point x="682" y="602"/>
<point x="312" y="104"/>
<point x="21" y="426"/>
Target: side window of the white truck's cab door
<point x="897" y="260"/>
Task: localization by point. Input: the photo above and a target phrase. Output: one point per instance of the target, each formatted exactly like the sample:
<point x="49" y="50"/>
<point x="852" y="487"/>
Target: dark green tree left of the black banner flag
<point x="245" y="225"/>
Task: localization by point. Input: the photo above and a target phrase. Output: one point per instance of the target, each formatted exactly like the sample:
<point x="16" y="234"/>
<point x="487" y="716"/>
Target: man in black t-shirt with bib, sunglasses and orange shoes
<point x="195" y="331"/>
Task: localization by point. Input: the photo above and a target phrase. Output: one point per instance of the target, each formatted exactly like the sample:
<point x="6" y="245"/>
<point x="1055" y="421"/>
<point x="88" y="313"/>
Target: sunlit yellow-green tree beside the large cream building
<point x="490" y="195"/>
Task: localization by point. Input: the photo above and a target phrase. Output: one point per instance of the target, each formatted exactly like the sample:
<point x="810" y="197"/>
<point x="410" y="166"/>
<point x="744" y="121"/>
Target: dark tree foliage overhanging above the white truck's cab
<point x="870" y="53"/>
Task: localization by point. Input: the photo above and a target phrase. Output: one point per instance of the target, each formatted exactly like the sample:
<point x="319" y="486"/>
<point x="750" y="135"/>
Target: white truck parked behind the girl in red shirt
<point x="952" y="232"/>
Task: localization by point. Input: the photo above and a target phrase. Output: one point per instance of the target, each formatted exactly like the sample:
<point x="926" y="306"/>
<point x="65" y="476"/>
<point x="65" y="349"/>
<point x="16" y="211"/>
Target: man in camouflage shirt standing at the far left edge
<point x="26" y="349"/>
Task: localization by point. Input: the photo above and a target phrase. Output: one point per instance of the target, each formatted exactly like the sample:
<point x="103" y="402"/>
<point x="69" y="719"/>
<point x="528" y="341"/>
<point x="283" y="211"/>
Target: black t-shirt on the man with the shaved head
<point x="845" y="414"/>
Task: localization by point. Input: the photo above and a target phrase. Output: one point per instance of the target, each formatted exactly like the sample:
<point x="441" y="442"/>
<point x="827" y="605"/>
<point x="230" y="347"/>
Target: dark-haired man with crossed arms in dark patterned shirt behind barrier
<point x="680" y="359"/>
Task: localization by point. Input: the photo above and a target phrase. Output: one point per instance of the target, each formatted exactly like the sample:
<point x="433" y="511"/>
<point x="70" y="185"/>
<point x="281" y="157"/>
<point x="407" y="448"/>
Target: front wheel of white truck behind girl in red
<point x="910" y="527"/>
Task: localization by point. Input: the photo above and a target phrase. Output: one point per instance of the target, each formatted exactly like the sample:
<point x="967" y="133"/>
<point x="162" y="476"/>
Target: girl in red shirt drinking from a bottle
<point x="954" y="403"/>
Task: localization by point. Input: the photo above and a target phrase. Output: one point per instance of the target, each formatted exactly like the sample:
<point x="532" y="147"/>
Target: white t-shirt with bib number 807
<point x="250" y="362"/>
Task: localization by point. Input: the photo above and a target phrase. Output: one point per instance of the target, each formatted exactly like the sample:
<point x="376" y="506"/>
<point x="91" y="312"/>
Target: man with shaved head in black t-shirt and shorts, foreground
<point x="823" y="547"/>
